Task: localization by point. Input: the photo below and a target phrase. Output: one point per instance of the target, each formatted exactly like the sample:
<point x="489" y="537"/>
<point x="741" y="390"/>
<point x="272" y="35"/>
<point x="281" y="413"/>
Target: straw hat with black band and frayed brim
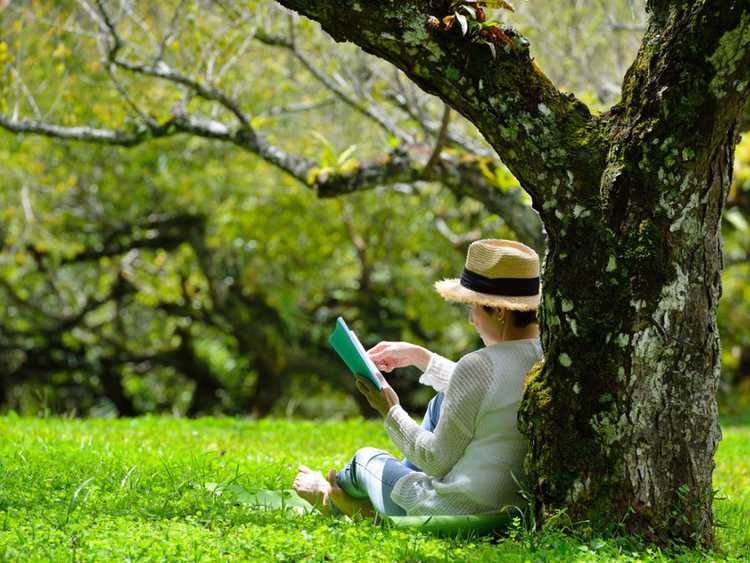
<point x="498" y="273"/>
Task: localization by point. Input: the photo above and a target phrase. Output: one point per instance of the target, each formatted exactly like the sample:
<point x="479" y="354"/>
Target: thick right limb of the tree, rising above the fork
<point x="702" y="92"/>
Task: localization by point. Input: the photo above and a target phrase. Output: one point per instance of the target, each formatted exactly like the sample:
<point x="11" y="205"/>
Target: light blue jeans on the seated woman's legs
<point x="372" y="472"/>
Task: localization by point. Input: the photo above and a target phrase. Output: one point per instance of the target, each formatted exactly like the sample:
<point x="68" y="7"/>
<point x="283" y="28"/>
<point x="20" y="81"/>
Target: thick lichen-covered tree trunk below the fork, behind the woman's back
<point x="622" y="419"/>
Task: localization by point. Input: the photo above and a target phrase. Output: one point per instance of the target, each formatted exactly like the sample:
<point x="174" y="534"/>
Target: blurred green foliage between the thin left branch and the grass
<point x="103" y="241"/>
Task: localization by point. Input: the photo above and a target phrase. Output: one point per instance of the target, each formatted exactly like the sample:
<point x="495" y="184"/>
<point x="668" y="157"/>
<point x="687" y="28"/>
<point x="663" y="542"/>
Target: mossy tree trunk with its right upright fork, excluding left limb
<point x="622" y="418"/>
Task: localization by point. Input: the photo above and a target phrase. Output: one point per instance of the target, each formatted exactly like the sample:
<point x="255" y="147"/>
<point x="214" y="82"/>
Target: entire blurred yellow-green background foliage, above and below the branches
<point x="188" y="276"/>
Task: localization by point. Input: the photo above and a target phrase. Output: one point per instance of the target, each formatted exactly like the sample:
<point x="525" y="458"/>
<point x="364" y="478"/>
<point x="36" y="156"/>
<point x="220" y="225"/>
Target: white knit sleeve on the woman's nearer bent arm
<point x="438" y="451"/>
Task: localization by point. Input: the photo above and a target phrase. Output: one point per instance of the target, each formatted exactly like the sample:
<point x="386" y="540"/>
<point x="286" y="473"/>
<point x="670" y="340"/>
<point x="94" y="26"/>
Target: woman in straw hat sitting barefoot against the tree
<point x="468" y="452"/>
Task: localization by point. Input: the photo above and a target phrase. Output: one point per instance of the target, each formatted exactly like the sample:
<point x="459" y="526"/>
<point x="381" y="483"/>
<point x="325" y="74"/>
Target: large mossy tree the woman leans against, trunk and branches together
<point x="621" y="417"/>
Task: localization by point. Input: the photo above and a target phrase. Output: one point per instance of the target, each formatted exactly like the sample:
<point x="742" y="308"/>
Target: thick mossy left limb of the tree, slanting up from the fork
<point x="531" y="125"/>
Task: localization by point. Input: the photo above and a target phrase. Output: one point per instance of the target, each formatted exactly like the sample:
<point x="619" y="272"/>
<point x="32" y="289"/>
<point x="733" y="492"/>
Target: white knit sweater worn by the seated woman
<point x="468" y="459"/>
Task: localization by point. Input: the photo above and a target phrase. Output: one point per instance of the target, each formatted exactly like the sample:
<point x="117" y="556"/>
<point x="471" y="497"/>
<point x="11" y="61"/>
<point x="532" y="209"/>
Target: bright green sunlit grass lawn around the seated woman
<point x="73" y="490"/>
